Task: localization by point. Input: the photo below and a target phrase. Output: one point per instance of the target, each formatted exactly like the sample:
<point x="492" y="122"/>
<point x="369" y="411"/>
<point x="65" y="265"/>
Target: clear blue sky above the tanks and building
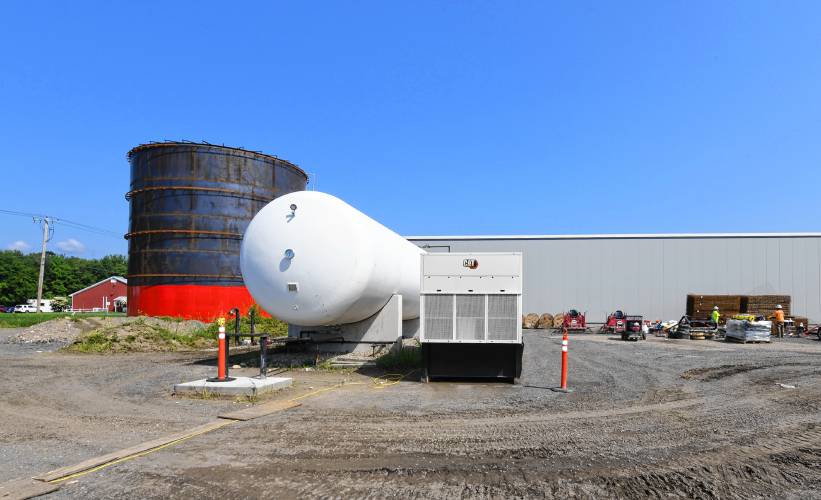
<point x="432" y="117"/>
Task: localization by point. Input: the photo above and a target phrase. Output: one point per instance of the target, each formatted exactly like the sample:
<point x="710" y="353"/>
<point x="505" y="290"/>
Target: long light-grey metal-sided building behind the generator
<point x="651" y="274"/>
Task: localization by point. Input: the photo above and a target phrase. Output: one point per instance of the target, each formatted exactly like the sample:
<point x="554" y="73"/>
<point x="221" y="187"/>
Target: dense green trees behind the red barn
<point x="64" y="275"/>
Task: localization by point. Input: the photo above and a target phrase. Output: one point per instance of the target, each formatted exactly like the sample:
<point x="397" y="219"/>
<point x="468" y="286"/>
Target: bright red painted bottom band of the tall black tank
<point x="204" y="303"/>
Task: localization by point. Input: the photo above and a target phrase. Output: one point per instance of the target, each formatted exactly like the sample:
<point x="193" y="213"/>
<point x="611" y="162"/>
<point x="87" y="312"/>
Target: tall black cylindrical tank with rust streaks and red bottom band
<point x="189" y="206"/>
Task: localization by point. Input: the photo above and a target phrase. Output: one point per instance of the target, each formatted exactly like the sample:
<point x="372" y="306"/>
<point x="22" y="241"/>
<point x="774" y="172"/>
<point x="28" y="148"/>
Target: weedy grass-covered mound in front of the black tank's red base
<point x="139" y="336"/>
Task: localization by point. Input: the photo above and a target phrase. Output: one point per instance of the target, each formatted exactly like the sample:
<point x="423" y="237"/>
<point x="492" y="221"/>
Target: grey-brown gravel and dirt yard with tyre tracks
<point x="659" y="418"/>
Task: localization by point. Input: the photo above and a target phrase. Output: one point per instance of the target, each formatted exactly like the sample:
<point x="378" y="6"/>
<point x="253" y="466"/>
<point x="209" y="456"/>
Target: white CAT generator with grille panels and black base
<point x="470" y="315"/>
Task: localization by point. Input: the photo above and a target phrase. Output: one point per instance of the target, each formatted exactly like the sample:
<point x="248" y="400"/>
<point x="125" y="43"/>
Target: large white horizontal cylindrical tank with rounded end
<point x="311" y="259"/>
